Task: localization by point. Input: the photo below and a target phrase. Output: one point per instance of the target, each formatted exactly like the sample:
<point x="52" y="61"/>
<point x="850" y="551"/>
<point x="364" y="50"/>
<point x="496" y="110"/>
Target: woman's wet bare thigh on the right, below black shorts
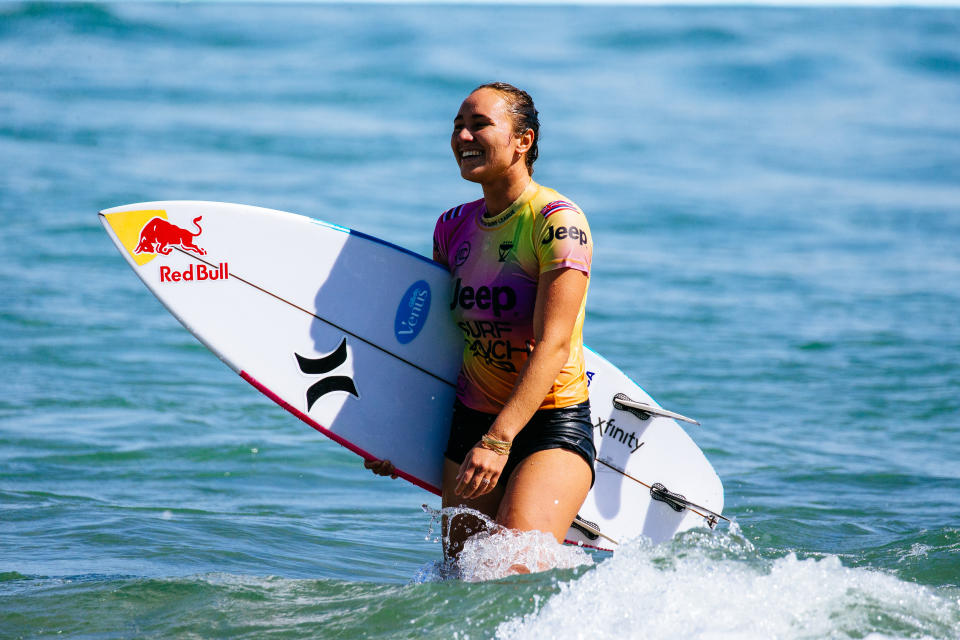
<point x="545" y="492"/>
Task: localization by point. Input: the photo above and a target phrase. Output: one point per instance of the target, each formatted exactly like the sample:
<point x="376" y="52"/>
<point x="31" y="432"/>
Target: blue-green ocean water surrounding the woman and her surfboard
<point x="775" y="200"/>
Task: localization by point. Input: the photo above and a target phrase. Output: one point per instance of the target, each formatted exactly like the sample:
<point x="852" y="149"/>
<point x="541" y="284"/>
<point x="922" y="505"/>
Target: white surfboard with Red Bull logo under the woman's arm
<point x="353" y="336"/>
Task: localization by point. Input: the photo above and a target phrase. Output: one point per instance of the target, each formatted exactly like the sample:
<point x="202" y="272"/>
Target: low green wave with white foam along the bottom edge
<point x="701" y="585"/>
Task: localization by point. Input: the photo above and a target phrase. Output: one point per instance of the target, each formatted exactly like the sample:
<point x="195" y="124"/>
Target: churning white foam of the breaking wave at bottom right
<point x="716" y="586"/>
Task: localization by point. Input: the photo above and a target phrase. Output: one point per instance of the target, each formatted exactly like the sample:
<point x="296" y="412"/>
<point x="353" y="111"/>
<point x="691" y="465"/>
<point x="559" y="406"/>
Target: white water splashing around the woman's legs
<point x="498" y="552"/>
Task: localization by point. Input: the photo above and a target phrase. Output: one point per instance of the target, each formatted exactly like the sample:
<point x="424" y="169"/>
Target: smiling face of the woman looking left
<point x="483" y="140"/>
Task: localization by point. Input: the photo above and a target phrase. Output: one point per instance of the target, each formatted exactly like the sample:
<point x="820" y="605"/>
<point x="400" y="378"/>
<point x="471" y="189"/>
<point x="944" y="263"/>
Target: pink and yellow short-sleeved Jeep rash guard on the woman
<point x="495" y="264"/>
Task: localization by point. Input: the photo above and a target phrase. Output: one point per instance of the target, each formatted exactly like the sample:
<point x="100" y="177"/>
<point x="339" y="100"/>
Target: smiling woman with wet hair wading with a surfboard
<point x="521" y="440"/>
